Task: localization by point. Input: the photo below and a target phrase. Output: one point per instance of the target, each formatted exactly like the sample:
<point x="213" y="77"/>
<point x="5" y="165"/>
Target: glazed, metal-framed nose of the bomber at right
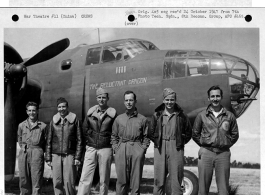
<point x="243" y="77"/>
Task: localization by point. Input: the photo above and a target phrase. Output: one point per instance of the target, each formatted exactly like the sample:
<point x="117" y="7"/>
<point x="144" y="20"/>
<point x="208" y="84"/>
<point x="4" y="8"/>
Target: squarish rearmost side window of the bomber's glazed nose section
<point x="174" y="68"/>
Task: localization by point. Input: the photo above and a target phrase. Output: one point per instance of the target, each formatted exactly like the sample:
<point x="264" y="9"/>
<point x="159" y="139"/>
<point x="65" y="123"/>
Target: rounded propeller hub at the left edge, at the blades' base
<point x="15" y="71"/>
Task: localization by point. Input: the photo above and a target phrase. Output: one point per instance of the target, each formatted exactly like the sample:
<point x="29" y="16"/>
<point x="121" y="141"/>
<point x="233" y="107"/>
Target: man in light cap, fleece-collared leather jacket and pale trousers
<point x="97" y="129"/>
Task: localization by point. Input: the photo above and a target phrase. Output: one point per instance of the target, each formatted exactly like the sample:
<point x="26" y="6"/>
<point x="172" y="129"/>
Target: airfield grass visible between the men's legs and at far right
<point x="247" y="180"/>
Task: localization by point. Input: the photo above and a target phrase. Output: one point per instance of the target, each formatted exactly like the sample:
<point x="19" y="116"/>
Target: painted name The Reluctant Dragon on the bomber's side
<point x="121" y="83"/>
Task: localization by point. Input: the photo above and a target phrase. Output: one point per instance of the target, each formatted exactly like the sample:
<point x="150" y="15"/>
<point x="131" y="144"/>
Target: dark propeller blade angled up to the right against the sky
<point x="49" y="52"/>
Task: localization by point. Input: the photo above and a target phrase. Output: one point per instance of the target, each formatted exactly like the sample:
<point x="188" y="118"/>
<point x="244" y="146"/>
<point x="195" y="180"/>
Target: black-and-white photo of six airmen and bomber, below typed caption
<point x="138" y="110"/>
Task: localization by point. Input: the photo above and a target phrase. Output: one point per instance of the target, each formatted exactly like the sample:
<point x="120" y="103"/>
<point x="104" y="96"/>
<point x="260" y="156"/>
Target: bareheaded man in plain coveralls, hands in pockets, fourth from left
<point x="129" y="142"/>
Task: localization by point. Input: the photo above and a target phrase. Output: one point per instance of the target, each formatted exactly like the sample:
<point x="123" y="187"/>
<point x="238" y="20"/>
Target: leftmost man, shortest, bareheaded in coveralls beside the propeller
<point x="31" y="139"/>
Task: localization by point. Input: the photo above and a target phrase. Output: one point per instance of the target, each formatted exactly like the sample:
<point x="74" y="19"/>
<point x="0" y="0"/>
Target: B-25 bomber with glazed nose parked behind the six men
<point x="127" y="64"/>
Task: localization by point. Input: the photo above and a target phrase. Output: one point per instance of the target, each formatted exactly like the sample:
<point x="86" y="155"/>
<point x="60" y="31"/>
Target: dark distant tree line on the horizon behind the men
<point x="191" y="161"/>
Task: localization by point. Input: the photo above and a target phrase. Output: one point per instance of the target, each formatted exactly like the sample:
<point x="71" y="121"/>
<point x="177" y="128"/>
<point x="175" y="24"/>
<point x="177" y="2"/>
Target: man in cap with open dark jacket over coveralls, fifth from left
<point x="170" y="130"/>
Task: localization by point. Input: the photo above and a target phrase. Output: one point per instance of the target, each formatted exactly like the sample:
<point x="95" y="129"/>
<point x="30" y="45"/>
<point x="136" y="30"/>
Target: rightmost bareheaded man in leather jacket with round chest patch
<point x="215" y="130"/>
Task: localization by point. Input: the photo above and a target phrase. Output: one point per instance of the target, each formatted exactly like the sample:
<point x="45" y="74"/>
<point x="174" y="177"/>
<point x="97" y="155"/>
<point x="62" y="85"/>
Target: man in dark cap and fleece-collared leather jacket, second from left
<point x="64" y="148"/>
